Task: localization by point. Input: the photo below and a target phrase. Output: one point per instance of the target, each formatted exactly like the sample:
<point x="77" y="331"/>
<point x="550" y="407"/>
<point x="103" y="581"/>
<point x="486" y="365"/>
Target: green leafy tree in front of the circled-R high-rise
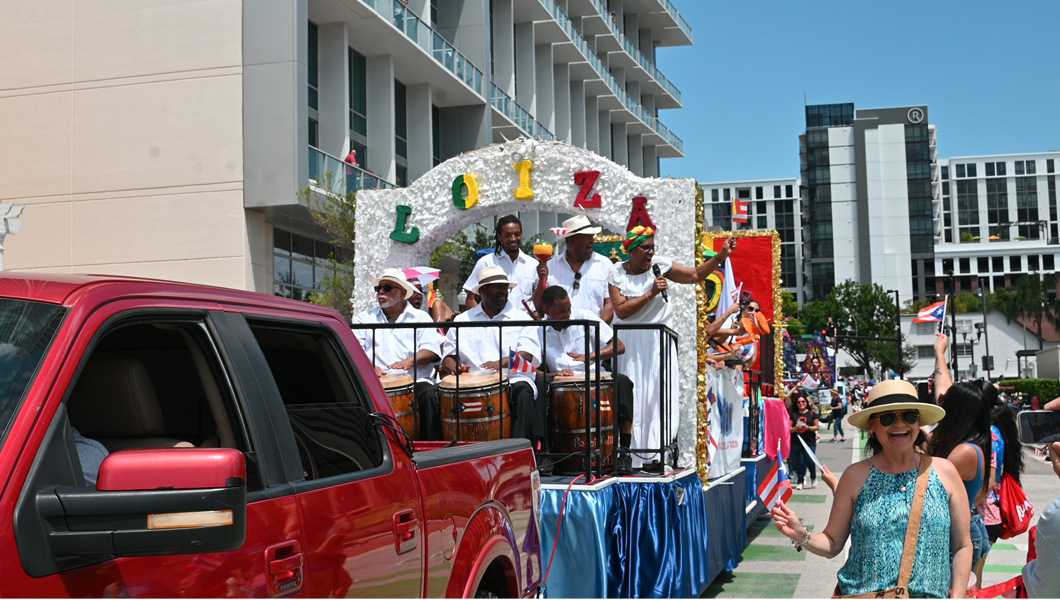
<point x="861" y="313"/>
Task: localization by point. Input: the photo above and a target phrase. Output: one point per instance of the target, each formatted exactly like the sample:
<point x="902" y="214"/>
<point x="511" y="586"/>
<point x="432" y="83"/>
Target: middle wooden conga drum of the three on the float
<point x="480" y="411"/>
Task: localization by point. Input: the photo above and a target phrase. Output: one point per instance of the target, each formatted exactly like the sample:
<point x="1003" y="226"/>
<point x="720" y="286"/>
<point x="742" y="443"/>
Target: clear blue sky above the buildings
<point x="990" y="74"/>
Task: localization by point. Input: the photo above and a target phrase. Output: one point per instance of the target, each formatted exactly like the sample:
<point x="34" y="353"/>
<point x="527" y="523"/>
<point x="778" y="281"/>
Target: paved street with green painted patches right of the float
<point x="772" y="569"/>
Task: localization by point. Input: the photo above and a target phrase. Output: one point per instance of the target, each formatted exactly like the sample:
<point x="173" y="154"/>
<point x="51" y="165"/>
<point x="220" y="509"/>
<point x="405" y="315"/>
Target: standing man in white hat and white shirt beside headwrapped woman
<point x="579" y="270"/>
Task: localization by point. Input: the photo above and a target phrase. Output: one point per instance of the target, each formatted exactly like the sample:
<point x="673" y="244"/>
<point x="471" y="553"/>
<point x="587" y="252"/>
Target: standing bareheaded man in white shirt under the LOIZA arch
<point x="507" y="255"/>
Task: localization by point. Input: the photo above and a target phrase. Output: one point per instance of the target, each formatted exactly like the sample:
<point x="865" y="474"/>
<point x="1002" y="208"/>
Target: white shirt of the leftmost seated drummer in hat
<point x="395" y="345"/>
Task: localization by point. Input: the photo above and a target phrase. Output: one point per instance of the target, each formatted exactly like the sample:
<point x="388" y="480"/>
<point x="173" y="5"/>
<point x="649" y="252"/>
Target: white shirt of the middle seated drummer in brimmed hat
<point x="481" y="345"/>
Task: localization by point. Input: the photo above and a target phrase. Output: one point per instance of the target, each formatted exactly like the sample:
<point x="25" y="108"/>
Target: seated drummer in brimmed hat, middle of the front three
<point x="489" y="349"/>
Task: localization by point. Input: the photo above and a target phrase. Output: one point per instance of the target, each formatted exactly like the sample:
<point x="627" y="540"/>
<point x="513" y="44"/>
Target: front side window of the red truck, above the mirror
<point x="153" y="382"/>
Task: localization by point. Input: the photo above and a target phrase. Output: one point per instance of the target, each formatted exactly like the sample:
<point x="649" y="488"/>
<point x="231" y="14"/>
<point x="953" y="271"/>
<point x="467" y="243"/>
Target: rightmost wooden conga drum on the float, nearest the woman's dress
<point x="568" y="427"/>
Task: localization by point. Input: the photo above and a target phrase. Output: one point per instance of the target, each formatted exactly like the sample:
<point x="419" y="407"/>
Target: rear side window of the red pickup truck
<point x="331" y="421"/>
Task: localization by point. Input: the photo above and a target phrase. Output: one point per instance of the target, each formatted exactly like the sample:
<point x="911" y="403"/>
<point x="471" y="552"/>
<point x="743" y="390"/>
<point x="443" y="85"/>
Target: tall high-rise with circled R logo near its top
<point x="871" y="199"/>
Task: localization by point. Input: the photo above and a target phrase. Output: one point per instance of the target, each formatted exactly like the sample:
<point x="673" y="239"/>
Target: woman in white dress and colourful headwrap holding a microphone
<point x="635" y="295"/>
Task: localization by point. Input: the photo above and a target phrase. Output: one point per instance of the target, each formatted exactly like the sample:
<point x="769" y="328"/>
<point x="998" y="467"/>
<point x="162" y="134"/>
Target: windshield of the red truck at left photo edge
<point x="27" y="330"/>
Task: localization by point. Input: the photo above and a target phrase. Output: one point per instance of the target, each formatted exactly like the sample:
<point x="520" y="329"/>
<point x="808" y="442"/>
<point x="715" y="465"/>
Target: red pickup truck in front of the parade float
<point x="245" y="452"/>
